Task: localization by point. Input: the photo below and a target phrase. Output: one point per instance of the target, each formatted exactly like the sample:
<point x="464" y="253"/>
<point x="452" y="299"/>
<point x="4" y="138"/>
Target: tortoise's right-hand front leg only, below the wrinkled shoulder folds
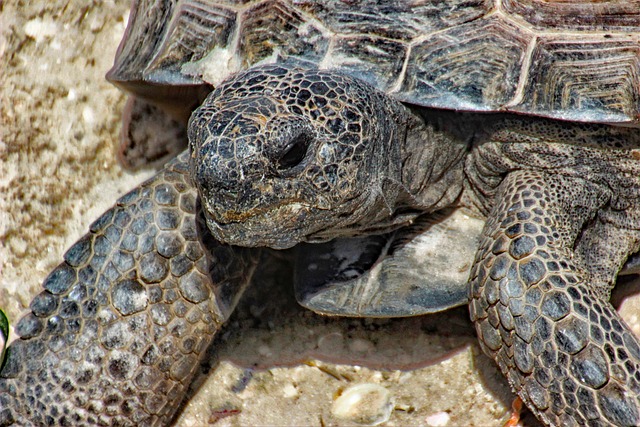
<point x="542" y="316"/>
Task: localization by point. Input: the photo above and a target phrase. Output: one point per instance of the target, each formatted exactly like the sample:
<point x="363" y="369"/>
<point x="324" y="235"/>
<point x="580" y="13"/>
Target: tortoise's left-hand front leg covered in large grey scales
<point x="118" y="331"/>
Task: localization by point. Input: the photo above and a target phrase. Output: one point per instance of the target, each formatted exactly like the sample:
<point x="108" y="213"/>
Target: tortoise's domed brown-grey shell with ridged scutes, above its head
<point x="571" y="60"/>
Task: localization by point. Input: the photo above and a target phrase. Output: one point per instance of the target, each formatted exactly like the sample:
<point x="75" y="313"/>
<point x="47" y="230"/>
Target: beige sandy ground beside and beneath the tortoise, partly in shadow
<point x="275" y="363"/>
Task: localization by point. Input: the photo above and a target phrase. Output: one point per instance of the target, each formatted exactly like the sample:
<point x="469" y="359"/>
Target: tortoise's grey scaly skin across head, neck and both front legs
<point x="281" y="155"/>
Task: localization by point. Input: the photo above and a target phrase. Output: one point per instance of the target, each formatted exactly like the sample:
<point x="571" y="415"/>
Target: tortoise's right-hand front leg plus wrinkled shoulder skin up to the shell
<point x="563" y="221"/>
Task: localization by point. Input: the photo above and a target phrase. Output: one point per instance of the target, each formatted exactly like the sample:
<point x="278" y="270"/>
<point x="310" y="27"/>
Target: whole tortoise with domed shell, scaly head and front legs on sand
<point x="339" y="129"/>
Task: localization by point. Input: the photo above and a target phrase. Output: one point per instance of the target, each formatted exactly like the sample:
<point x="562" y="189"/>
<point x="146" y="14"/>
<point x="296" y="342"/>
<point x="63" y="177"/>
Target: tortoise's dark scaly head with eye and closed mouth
<point x="282" y="155"/>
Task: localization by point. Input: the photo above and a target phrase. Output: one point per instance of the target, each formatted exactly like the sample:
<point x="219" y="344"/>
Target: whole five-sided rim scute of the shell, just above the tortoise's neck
<point x="475" y="66"/>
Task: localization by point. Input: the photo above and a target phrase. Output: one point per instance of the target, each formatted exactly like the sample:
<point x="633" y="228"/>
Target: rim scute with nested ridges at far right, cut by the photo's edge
<point x="588" y="80"/>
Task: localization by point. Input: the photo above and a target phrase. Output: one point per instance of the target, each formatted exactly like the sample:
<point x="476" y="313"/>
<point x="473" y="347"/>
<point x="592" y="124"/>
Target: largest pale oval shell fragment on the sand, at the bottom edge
<point x="366" y="404"/>
